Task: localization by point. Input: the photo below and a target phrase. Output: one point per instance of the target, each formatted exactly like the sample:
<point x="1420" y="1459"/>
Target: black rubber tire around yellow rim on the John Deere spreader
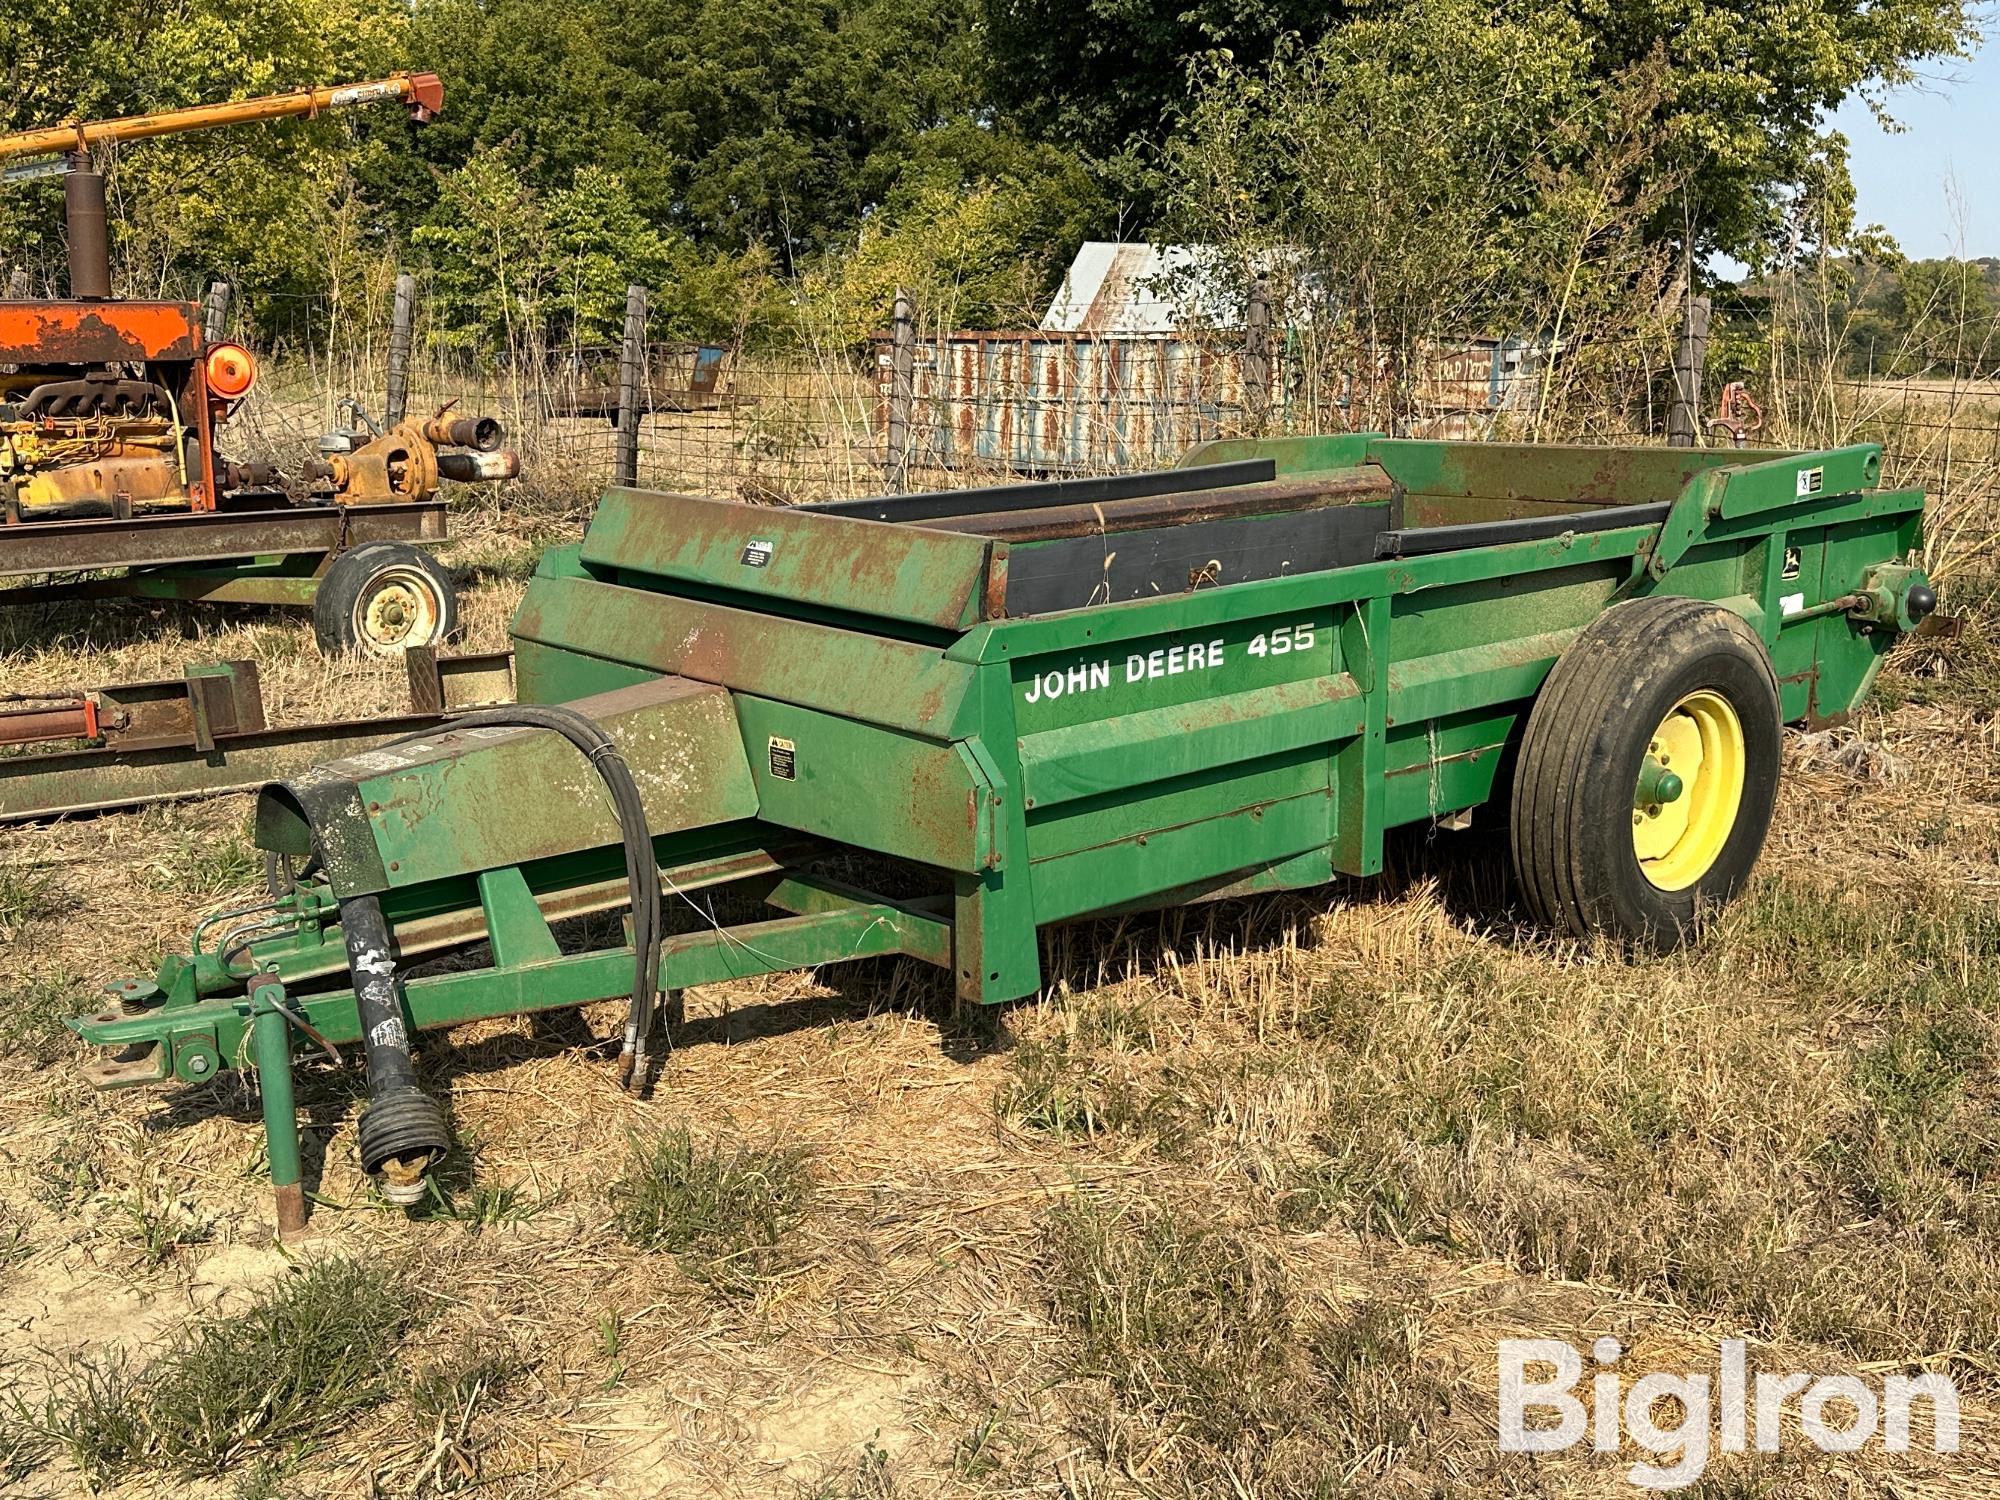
<point x="1581" y="757"/>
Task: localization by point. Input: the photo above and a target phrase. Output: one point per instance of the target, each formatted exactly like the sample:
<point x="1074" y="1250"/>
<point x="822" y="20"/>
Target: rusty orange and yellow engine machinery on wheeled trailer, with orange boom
<point x="109" y="417"/>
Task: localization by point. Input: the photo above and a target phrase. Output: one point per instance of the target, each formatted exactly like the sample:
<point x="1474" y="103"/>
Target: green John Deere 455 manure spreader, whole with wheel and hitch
<point x="933" y="725"/>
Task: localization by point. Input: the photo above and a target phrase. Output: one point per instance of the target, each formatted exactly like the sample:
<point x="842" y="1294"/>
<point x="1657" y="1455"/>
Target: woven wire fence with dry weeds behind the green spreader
<point x="785" y="421"/>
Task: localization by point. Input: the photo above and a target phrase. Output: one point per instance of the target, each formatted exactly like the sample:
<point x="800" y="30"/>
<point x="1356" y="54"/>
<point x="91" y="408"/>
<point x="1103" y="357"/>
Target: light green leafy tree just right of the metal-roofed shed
<point x="1423" y="177"/>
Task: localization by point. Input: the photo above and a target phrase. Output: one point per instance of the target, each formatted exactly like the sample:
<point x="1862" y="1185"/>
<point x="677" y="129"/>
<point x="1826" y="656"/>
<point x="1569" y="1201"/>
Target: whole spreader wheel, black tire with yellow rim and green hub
<point x="1647" y="773"/>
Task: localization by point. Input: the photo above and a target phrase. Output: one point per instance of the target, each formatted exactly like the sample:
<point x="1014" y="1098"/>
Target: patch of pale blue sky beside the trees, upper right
<point x="1937" y="185"/>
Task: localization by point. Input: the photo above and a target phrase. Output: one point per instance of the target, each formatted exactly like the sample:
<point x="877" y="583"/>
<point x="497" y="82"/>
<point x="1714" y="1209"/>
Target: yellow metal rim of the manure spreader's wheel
<point x="1703" y="743"/>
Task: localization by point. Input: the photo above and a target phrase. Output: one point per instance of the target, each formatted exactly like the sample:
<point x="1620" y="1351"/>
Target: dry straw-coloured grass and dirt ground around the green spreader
<point x="1241" y="1207"/>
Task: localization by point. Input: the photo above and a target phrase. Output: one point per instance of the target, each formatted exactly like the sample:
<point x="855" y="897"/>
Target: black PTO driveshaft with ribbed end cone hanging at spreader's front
<point x="401" y="1129"/>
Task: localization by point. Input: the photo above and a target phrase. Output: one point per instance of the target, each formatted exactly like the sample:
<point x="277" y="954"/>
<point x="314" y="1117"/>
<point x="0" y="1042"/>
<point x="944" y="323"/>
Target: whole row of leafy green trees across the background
<point x="961" y="145"/>
